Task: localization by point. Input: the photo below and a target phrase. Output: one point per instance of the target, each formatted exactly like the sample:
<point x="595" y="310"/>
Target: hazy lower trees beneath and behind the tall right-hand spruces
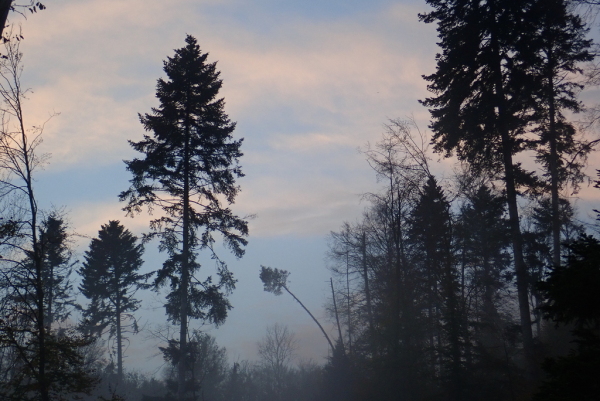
<point x="425" y="283"/>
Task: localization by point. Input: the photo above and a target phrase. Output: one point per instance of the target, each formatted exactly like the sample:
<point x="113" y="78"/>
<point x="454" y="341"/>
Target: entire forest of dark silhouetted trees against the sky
<point x="481" y="284"/>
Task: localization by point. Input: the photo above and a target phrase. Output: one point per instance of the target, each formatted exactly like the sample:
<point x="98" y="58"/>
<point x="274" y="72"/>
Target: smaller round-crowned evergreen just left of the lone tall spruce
<point x="110" y="279"/>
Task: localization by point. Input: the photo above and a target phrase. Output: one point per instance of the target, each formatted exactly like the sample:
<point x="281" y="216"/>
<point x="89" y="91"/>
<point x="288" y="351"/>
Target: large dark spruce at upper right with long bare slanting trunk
<point x="483" y="104"/>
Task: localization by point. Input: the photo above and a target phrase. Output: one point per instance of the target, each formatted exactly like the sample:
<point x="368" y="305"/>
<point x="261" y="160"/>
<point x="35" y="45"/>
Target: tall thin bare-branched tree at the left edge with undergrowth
<point x="43" y="363"/>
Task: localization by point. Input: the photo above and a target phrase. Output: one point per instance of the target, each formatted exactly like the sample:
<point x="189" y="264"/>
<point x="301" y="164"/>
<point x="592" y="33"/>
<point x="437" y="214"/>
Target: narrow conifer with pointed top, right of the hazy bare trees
<point x="431" y="233"/>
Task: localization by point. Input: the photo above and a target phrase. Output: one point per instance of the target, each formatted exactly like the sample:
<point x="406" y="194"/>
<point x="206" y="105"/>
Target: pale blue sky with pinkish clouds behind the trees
<point x="308" y="82"/>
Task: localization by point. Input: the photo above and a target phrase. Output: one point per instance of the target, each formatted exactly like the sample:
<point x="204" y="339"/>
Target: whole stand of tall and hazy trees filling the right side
<point x="440" y="286"/>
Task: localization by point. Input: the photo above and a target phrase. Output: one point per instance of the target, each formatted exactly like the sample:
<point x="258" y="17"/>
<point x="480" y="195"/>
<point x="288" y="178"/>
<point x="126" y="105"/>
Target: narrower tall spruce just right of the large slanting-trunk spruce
<point x="556" y="47"/>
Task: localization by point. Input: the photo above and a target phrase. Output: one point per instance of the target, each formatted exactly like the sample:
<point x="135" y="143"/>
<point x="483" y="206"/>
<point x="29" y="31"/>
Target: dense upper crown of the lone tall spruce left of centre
<point x="191" y="142"/>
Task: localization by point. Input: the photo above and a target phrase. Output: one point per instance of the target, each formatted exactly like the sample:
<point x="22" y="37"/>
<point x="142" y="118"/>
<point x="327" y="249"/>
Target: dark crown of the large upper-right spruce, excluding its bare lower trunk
<point x="473" y="82"/>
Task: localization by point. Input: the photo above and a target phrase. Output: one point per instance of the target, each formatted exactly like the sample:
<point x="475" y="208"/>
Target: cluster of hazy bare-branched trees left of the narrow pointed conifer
<point x="376" y="263"/>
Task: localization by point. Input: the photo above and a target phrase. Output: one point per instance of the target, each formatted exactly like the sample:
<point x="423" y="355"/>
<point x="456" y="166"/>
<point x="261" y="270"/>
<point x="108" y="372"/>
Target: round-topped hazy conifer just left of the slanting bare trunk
<point x="482" y="238"/>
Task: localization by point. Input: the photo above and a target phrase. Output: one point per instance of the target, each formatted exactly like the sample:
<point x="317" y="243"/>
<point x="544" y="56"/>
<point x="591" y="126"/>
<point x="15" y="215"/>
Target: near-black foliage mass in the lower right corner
<point x="572" y="297"/>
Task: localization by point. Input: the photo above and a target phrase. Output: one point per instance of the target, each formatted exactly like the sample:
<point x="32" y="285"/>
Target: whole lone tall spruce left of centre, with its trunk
<point x="188" y="170"/>
